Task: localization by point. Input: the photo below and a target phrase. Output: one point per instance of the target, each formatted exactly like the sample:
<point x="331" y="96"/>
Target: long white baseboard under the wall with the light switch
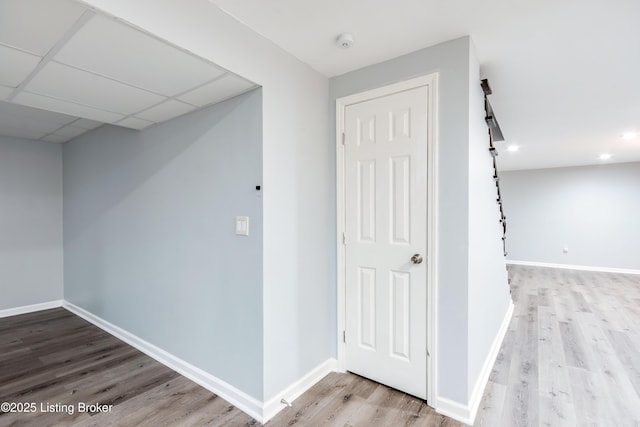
<point x="251" y="406"/>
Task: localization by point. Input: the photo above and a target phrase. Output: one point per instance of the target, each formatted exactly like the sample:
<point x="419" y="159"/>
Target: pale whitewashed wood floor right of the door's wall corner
<point x="571" y="356"/>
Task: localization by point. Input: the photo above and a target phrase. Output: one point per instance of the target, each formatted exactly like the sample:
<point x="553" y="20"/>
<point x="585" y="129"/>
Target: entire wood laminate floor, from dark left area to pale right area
<point x="571" y="357"/>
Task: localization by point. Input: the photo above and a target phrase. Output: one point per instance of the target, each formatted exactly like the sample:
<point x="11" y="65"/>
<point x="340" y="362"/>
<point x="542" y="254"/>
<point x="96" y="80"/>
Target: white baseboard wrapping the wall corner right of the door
<point x="467" y="413"/>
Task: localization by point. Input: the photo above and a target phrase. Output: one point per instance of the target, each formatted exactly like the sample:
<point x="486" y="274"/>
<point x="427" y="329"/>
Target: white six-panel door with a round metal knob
<point x="385" y="226"/>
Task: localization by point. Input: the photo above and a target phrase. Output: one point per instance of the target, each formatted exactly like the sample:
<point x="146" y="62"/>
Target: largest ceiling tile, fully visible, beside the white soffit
<point x="116" y="50"/>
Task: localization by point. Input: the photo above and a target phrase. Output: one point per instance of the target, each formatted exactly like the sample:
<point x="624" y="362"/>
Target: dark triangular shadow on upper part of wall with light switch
<point x="110" y="180"/>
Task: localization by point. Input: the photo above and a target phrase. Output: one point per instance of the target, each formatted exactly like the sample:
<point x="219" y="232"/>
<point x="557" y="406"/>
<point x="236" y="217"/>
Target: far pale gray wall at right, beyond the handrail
<point x="594" y="210"/>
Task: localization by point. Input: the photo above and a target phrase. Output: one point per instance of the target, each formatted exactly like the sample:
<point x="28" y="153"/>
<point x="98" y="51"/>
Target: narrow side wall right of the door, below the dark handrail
<point x="489" y="295"/>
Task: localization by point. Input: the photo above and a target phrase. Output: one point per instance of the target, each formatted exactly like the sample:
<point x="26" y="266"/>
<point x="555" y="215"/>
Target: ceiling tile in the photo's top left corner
<point x="36" y="25"/>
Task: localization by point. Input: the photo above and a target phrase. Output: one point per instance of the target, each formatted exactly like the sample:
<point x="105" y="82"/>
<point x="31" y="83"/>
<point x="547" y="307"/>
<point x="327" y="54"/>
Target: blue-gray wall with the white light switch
<point x="149" y="235"/>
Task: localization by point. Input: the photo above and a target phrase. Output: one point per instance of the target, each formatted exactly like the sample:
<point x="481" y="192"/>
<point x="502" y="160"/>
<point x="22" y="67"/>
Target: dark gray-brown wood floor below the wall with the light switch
<point x="71" y="361"/>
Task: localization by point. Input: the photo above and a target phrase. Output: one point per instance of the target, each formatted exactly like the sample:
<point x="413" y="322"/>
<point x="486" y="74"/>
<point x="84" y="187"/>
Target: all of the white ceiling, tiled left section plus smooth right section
<point x="563" y="73"/>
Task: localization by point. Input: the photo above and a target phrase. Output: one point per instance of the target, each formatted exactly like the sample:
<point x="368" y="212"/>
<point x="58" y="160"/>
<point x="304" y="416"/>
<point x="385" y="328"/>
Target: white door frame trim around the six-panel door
<point x="431" y="81"/>
